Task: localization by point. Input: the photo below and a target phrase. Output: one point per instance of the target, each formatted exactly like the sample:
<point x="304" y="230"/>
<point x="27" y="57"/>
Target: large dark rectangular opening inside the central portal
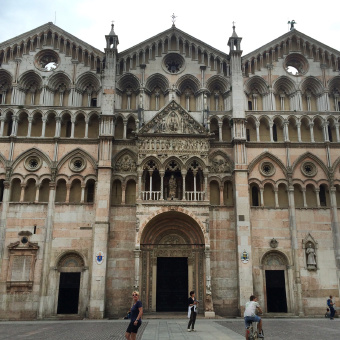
<point x="172" y="284"/>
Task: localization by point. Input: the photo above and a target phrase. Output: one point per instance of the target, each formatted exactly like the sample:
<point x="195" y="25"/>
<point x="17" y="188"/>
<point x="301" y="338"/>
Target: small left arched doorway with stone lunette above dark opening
<point x="70" y="268"/>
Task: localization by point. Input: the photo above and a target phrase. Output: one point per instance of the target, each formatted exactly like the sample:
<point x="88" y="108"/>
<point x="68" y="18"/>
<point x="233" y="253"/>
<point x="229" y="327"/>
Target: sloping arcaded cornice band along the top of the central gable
<point x="168" y="34"/>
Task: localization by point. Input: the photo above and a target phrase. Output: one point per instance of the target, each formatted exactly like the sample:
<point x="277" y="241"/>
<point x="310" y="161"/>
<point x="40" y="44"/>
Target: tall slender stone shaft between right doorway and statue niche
<point x="294" y="240"/>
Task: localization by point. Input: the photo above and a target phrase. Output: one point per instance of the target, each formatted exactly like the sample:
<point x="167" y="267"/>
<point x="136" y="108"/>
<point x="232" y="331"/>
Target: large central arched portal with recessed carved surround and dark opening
<point x="172" y="246"/>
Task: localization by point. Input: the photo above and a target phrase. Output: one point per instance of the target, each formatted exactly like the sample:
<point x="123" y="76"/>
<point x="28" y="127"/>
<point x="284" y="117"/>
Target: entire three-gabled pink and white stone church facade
<point x="167" y="167"/>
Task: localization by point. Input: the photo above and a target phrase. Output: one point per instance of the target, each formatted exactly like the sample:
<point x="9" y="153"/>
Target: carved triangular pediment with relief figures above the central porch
<point x="173" y="119"/>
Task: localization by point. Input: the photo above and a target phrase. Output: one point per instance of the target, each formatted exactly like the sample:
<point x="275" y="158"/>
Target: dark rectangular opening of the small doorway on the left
<point x="68" y="293"/>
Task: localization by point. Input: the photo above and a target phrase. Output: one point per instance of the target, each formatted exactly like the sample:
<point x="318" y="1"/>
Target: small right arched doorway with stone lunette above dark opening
<point x="276" y="282"/>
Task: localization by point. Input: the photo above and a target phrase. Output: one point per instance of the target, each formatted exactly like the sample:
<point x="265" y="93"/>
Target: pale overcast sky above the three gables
<point x="257" y="22"/>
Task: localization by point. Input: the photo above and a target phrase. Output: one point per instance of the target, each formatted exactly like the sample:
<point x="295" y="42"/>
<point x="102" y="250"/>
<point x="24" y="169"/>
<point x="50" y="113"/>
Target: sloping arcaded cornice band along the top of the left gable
<point x="45" y="29"/>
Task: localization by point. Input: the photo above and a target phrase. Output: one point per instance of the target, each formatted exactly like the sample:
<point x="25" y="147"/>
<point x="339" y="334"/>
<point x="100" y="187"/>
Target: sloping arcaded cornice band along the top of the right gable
<point x="293" y="34"/>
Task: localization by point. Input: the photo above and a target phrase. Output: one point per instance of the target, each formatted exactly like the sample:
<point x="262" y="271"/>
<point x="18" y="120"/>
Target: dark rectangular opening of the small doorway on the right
<point x="276" y="291"/>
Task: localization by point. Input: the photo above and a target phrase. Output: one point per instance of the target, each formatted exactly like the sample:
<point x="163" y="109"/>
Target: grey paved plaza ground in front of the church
<point x="162" y="329"/>
